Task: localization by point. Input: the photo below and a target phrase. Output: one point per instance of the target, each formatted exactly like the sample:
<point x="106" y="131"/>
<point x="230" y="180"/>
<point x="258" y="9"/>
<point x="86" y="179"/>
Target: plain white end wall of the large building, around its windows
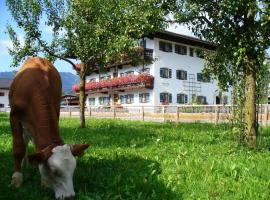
<point x="174" y="61"/>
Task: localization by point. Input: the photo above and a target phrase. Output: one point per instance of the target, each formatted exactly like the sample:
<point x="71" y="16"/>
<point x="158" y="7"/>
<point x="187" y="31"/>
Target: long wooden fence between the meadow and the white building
<point x="177" y="113"/>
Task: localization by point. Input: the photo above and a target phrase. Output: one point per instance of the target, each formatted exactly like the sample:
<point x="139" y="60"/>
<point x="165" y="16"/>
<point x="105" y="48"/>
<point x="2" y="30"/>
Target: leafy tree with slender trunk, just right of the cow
<point x="92" y="31"/>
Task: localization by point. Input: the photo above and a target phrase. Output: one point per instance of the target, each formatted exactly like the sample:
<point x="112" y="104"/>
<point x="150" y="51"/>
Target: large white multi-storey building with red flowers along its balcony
<point x="175" y="77"/>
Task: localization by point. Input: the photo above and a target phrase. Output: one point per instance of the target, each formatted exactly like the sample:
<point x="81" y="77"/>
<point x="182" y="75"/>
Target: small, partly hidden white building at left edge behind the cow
<point x="4" y="90"/>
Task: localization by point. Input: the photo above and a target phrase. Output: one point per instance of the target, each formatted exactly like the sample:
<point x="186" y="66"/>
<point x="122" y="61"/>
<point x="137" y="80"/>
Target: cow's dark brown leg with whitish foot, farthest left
<point x="19" y="150"/>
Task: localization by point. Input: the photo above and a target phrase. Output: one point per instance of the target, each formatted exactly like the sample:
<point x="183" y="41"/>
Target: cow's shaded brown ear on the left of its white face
<point x="41" y="156"/>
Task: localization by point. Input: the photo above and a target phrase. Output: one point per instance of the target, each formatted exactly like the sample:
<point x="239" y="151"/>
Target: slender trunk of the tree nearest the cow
<point x="82" y="96"/>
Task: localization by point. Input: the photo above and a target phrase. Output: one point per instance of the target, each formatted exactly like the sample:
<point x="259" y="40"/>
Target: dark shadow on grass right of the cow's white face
<point x="120" y="178"/>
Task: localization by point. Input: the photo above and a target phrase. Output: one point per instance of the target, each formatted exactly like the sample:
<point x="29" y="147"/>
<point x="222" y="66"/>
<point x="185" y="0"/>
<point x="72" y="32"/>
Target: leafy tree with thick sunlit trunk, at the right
<point x="241" y="29"/>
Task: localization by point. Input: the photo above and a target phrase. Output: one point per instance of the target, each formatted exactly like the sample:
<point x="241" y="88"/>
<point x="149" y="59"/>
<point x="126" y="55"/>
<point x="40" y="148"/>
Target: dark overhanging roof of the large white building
<point x="184" y="39"/>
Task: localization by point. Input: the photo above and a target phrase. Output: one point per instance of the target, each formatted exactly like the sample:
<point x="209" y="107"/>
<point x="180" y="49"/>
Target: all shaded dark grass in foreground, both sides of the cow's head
<point x="94" y="178"/>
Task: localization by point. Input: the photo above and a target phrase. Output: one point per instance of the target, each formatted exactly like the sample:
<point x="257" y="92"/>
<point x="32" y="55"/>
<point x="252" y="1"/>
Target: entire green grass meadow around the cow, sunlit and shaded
<point x="145" y="160"/>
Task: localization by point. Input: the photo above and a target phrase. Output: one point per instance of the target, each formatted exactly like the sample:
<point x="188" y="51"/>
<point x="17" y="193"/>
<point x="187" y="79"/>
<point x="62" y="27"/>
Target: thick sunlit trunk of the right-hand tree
<point x="250" y="105"/>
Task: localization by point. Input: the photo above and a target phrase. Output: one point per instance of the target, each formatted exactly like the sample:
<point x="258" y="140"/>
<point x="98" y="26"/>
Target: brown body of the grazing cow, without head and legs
<point x="35" y="96"/>
